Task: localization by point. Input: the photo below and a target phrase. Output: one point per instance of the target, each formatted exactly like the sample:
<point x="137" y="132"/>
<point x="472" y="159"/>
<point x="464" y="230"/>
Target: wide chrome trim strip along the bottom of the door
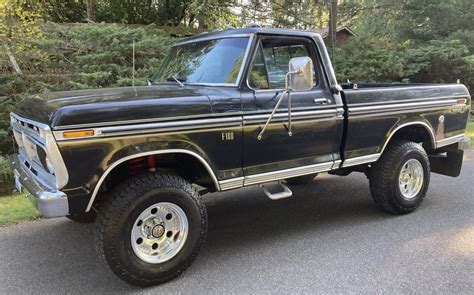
<point x="287" y="173"/>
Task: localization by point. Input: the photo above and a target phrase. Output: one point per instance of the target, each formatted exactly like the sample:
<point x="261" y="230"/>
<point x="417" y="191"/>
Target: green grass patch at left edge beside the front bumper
<point x="16" y="208"/>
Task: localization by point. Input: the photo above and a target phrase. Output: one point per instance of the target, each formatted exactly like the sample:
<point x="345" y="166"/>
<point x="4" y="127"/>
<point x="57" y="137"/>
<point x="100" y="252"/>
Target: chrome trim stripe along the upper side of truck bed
<point x="398" y="106"/>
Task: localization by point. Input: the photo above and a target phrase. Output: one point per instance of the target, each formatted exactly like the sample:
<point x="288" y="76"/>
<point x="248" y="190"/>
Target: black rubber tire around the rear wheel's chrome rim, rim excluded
<point x="385" y="173"/>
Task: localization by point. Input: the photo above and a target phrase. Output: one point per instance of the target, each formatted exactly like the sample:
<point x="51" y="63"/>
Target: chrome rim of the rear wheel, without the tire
<point x="411" y="179"/>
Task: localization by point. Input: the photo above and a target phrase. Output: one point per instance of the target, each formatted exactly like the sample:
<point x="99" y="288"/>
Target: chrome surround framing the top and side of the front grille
<point x="47" y="141"/>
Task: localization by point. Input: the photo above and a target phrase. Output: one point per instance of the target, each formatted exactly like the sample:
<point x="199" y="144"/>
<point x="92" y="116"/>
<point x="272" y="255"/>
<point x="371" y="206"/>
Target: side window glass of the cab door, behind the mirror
<point x="276" y="54"/>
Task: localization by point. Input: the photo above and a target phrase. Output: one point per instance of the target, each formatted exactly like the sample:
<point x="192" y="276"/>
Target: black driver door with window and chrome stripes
<point x="316" y="125"/>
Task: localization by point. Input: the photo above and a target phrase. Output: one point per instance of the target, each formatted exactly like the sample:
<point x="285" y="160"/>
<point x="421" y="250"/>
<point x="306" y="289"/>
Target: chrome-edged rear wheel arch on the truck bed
<point x="412" y="131"/>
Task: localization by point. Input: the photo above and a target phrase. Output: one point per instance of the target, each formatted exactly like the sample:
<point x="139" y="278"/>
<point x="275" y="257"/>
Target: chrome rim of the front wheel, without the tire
<point x="159" y="233"/>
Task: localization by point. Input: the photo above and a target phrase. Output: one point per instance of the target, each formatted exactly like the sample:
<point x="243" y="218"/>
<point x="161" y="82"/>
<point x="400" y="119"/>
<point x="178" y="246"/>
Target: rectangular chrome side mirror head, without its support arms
<point x="300" y="74"/>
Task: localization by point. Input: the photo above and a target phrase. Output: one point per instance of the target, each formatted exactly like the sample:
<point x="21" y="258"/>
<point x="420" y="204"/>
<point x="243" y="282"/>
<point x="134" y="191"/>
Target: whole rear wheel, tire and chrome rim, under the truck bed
<point x="400" y="178"/>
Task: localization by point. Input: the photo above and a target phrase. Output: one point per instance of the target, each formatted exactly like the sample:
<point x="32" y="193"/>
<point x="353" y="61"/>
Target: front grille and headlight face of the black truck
<point x="30" y="138"/>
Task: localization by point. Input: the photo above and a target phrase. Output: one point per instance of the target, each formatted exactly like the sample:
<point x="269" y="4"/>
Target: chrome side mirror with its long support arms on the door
<point x="298" y="78"/>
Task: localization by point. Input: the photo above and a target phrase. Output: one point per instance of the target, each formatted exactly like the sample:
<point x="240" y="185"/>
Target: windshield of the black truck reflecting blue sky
<point x="211" y="61"/>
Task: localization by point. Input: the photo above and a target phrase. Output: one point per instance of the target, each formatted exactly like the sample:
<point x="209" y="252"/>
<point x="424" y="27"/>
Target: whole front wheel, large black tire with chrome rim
<point x="151" y="228"/>
